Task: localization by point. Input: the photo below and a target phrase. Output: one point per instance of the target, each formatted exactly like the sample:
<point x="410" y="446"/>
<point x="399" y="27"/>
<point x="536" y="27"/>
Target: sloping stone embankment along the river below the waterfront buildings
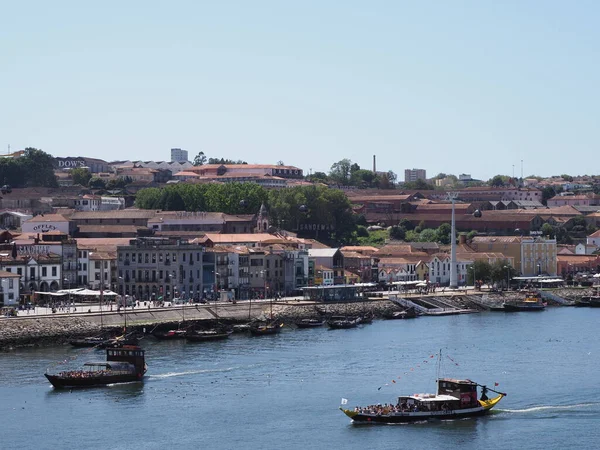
<point x="59" y="328"/>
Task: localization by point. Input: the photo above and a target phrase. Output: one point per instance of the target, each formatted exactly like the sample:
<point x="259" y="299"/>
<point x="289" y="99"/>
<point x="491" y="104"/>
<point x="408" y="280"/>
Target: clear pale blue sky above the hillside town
<point x="455" y="87"/>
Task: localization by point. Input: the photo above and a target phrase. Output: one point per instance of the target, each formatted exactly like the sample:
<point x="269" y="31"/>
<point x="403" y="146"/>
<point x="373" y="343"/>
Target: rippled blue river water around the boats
<point x="284" y="391"/>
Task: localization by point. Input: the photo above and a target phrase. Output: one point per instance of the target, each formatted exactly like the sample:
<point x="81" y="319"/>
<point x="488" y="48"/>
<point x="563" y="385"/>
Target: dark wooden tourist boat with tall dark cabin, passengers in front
<point x="123" y="364"/>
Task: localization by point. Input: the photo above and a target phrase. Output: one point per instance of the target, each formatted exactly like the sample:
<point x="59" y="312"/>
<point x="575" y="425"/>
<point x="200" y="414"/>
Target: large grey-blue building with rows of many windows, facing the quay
<point x="164" y="268"/>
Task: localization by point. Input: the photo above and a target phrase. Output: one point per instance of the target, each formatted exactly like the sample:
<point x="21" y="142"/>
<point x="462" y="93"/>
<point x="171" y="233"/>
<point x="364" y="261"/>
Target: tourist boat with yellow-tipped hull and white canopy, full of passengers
<point x="455" y="399"/>
